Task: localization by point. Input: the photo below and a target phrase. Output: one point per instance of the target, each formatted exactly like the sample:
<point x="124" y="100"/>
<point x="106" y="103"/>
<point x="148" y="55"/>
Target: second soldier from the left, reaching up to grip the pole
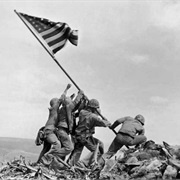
<point x="64" y="128"/>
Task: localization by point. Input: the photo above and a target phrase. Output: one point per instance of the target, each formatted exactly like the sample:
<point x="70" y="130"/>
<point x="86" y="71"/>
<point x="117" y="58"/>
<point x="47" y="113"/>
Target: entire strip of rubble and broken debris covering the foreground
<point x="150" y="161"/>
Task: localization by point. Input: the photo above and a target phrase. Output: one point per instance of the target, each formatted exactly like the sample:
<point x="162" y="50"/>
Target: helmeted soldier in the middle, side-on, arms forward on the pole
<point x="88" y="120"/>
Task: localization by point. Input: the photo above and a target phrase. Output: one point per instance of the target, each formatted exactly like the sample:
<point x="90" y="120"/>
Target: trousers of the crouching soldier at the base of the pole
<point x="123" y="139"/>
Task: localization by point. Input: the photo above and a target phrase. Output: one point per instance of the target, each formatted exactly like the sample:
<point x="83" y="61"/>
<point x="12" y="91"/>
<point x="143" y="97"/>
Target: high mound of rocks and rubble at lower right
<point x="151" y="161"/>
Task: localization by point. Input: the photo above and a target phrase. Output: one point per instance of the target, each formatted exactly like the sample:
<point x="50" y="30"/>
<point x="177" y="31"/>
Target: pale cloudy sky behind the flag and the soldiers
<point x="127" y="58"/>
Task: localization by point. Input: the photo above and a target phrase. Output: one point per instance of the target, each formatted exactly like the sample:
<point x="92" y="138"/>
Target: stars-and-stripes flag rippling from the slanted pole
<point x="55" y="34"/>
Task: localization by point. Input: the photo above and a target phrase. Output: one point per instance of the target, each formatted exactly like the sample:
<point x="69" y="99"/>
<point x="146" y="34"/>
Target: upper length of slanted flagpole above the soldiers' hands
<point x="53" y="57"/>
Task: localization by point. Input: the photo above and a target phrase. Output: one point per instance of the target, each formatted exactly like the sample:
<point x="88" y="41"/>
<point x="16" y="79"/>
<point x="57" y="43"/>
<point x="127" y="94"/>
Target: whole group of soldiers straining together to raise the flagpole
<point x="71" y="127"/>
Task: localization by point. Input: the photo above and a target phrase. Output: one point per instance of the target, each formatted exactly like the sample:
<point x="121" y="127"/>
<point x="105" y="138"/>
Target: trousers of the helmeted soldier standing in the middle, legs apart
<point x="90" y="143"/>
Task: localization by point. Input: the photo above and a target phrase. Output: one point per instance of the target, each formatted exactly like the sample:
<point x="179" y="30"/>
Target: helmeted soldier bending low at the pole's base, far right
<point x="131" y="133"/>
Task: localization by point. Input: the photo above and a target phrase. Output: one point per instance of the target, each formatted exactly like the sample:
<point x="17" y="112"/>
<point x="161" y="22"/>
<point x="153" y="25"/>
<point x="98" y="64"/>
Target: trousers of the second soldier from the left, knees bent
<point x="64" y="147"/>
